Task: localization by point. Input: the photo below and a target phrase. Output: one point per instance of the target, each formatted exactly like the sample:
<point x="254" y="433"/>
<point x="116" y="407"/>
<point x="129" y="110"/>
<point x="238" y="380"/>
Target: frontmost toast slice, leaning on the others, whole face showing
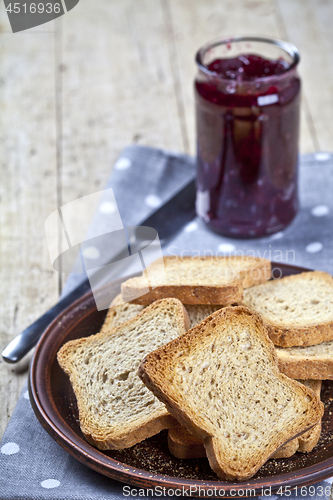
<point x="221" y="381"/>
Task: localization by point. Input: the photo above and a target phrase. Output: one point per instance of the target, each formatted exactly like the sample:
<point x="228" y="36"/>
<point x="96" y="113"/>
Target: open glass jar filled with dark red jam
<point x="247" y="111"/>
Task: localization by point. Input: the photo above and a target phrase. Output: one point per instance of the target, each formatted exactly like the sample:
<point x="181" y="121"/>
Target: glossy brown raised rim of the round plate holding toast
<point x="95" y="459"/>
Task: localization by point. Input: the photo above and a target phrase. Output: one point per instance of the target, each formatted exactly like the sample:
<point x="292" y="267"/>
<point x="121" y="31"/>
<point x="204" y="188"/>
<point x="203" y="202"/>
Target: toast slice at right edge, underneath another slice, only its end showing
<point x="311" y="361"/>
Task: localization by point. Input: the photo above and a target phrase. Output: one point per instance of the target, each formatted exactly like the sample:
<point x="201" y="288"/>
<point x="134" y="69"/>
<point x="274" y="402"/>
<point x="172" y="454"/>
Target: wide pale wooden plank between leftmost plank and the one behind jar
<point x="117" y="89"/>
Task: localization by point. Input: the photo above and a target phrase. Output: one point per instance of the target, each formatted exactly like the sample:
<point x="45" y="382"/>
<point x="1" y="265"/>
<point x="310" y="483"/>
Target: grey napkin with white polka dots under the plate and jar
<point x="32" y="465"/>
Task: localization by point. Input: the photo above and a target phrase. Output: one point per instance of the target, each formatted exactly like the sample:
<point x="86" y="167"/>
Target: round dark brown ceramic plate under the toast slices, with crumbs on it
<point x="149" y="464"/>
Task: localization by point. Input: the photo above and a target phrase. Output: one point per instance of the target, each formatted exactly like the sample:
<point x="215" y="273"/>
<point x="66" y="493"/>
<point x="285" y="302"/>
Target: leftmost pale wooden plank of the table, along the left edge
<point x="27" y="191"/>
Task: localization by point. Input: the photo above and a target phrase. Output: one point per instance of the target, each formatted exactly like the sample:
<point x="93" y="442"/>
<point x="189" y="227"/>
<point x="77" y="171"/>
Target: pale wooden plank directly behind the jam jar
<point x="196" y="23"/>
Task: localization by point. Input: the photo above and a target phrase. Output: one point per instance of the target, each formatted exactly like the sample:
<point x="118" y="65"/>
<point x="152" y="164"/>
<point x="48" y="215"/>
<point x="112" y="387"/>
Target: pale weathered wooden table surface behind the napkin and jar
<point x="75" y="91"/>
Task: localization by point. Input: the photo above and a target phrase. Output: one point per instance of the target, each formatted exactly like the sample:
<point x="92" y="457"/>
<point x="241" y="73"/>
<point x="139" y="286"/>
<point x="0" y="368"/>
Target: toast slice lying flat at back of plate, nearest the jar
<point x="197" y="280"/>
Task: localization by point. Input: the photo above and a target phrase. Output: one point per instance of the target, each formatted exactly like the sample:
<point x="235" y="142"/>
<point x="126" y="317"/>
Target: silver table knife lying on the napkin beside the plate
<point x="167" y="220"/>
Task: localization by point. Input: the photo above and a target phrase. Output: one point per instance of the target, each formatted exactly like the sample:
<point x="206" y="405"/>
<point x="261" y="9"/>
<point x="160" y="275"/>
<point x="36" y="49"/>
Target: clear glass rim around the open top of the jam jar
<point x="286" y="46"/>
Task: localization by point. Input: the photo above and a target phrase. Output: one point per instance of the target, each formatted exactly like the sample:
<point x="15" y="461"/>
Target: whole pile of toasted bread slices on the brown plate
<point x="228" y="360"/>
